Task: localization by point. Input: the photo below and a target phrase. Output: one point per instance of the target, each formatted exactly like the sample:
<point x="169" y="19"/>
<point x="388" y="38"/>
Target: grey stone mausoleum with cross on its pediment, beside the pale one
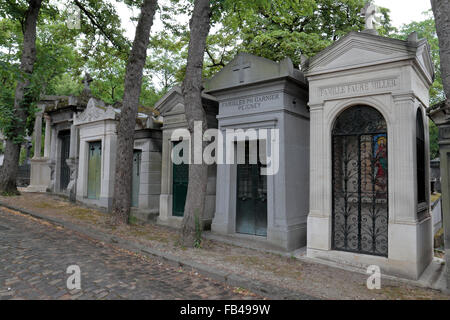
<point x="257" y="93"/>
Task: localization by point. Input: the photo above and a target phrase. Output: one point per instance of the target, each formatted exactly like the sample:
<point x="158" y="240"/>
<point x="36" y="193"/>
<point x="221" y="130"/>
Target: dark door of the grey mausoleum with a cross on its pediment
<point x="251" y="201"/>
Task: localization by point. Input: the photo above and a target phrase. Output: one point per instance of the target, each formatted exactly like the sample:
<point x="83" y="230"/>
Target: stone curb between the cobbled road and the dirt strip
<point x="233" y="280"/>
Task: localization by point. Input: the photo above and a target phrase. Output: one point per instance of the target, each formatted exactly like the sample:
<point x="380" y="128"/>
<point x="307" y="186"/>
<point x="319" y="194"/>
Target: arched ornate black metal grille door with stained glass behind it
<point x="360" y="182"/>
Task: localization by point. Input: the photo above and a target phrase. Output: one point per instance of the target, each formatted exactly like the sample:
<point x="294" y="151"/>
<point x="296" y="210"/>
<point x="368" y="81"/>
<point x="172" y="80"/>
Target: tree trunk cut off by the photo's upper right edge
<point x="441" y="11"/>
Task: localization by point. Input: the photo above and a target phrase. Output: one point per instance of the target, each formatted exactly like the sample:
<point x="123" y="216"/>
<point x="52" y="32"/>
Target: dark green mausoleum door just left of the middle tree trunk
<point x="179" y="187"/>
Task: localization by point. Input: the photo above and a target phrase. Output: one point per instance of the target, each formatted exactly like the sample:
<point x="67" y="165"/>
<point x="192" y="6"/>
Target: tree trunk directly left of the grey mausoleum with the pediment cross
<point x="192" y="89"/>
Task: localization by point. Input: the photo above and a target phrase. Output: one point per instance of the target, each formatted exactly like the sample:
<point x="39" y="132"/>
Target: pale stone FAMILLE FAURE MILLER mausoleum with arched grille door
<point x="369" y="175"/>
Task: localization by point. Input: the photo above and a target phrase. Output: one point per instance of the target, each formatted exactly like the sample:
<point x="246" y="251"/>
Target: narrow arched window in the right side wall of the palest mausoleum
<point x="420" y="157"/>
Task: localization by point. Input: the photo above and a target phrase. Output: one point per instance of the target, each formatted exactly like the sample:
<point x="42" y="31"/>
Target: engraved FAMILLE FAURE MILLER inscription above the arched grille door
<point x="358" y="87"/>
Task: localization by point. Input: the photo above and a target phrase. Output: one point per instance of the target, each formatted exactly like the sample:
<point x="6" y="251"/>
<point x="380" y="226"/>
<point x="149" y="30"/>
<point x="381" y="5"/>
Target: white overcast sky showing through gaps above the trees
<point x="402" y="12"/>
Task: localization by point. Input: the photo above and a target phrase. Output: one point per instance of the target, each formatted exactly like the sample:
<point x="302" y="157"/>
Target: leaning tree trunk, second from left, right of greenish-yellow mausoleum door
<point x="125" y="129"/>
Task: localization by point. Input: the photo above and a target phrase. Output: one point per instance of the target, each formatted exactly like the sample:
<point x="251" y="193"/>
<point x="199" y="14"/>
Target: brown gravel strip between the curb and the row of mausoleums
<point x="308" y="278"/>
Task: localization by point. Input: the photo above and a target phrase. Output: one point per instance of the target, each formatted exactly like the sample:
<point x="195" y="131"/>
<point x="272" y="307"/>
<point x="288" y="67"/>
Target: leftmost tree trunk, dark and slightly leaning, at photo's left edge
<point x="14" y="136"/>
